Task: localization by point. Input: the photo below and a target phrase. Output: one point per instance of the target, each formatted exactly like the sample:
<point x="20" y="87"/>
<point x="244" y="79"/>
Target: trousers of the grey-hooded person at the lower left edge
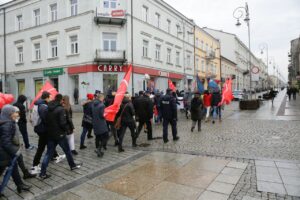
<point x="11" y="171"/>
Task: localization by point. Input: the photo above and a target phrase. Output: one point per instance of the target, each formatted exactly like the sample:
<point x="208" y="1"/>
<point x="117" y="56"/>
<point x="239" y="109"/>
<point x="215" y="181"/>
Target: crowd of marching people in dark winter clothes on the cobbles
<point x="52" y="122"/>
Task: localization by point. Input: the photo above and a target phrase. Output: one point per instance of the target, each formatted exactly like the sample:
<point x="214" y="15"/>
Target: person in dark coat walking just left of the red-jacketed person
<point x="196" y="111"/>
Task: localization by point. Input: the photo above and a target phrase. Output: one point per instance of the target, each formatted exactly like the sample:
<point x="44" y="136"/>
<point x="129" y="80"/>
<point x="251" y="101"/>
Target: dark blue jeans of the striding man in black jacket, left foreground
<point x="63" y="143"/>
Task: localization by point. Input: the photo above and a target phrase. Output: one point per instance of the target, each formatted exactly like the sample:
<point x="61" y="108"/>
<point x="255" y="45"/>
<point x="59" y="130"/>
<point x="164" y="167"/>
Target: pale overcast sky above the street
<point x="275" y="22"/>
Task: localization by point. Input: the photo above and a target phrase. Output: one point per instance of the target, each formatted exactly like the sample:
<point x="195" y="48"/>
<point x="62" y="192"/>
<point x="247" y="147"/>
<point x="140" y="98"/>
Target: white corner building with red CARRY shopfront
<point x="87" y="45"/>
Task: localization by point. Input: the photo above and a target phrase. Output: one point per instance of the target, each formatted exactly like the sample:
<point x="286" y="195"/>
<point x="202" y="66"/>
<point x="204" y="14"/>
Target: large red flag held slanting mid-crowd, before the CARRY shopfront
<point x="111" y="111"/>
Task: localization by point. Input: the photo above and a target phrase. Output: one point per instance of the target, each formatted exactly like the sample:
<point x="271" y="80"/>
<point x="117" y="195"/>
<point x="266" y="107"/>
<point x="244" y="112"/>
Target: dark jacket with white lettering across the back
<point x="168" y="107"/>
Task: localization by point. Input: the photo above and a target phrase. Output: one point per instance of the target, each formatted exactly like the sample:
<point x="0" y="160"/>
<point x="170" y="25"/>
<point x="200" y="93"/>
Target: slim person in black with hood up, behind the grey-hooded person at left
<point x="22" y="123"/>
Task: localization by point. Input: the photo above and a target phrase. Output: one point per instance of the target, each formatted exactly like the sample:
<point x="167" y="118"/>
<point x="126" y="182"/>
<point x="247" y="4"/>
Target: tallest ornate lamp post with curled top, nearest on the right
<point x="238" y="13"/>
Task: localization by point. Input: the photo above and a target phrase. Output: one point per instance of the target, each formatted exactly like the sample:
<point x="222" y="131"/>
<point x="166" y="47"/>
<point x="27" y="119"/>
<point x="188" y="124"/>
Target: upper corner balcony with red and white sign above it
<point x="115" y="17"/>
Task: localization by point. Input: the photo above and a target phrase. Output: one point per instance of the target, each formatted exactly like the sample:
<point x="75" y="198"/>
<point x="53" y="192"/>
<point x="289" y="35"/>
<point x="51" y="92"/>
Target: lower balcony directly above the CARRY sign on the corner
<point x="110" y="56"/>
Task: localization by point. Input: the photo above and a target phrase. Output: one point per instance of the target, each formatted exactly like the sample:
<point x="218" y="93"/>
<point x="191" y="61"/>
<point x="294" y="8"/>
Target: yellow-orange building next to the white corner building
<point x="207" y="56"/>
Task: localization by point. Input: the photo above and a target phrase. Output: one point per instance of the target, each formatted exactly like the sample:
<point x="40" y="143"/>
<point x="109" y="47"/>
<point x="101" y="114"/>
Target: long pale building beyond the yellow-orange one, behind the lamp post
<point x="233" y="49"/>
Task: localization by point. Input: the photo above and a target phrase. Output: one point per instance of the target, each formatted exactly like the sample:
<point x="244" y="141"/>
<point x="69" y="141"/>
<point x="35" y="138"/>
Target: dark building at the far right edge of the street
<point x="294" y="66"/>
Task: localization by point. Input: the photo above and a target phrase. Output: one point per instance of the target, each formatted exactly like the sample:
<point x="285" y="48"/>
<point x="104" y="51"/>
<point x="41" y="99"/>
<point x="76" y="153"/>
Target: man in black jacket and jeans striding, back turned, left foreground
<point x="56" y="132"/>
